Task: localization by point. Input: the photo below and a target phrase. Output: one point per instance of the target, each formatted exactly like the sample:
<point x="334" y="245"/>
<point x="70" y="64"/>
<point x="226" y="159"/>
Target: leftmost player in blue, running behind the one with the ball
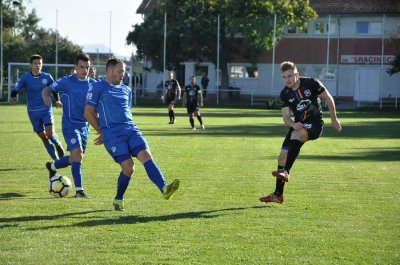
<point x="40" y="115"/>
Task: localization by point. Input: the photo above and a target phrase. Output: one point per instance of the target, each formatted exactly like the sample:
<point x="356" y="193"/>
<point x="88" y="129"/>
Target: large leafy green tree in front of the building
<point x="192" y="30"/>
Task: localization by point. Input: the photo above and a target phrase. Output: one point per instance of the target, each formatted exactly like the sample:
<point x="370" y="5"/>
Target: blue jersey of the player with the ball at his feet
<point x="73" y="97"/>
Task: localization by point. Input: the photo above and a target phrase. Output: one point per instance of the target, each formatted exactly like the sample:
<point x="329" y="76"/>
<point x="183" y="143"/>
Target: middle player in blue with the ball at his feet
<point x="74" y="125"/>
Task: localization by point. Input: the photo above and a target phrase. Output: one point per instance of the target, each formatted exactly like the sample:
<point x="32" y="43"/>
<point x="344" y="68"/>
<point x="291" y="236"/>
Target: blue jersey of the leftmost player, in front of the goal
<point x="34" y="86"/>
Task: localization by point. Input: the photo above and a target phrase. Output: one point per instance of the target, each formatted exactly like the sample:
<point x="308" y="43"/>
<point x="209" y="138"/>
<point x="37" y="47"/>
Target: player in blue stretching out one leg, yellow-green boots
<point x="108" y="110"/>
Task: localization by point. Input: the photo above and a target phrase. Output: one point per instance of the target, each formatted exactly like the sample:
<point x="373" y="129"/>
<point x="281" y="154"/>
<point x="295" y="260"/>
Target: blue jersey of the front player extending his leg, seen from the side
<point x="112" y="103"/>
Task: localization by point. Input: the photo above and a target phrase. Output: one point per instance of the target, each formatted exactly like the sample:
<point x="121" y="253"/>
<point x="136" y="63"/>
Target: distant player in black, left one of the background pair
<point x="171" y="92"/>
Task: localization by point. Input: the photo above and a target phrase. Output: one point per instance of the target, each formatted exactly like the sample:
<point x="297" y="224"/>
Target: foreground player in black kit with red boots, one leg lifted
<point x="301" y="95"/>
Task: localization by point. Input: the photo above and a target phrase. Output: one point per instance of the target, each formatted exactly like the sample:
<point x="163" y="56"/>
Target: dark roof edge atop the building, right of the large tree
<point x="356" y="6"/>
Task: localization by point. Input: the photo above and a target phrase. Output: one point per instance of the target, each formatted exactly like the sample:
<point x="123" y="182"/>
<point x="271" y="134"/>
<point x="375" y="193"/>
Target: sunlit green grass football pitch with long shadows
<point x="341" y="204"/>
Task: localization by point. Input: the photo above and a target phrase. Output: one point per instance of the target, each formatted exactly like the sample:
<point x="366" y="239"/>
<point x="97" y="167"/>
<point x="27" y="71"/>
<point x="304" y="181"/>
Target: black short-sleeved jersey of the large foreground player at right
<point x="304" y="101"/>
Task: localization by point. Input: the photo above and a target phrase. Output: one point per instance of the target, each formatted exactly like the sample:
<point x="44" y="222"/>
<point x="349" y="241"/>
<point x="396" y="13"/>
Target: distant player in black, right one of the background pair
<point x="193" y="98"/>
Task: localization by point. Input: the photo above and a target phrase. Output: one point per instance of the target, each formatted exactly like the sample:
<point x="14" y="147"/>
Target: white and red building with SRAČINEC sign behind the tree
<point x="346" y="47"/>
